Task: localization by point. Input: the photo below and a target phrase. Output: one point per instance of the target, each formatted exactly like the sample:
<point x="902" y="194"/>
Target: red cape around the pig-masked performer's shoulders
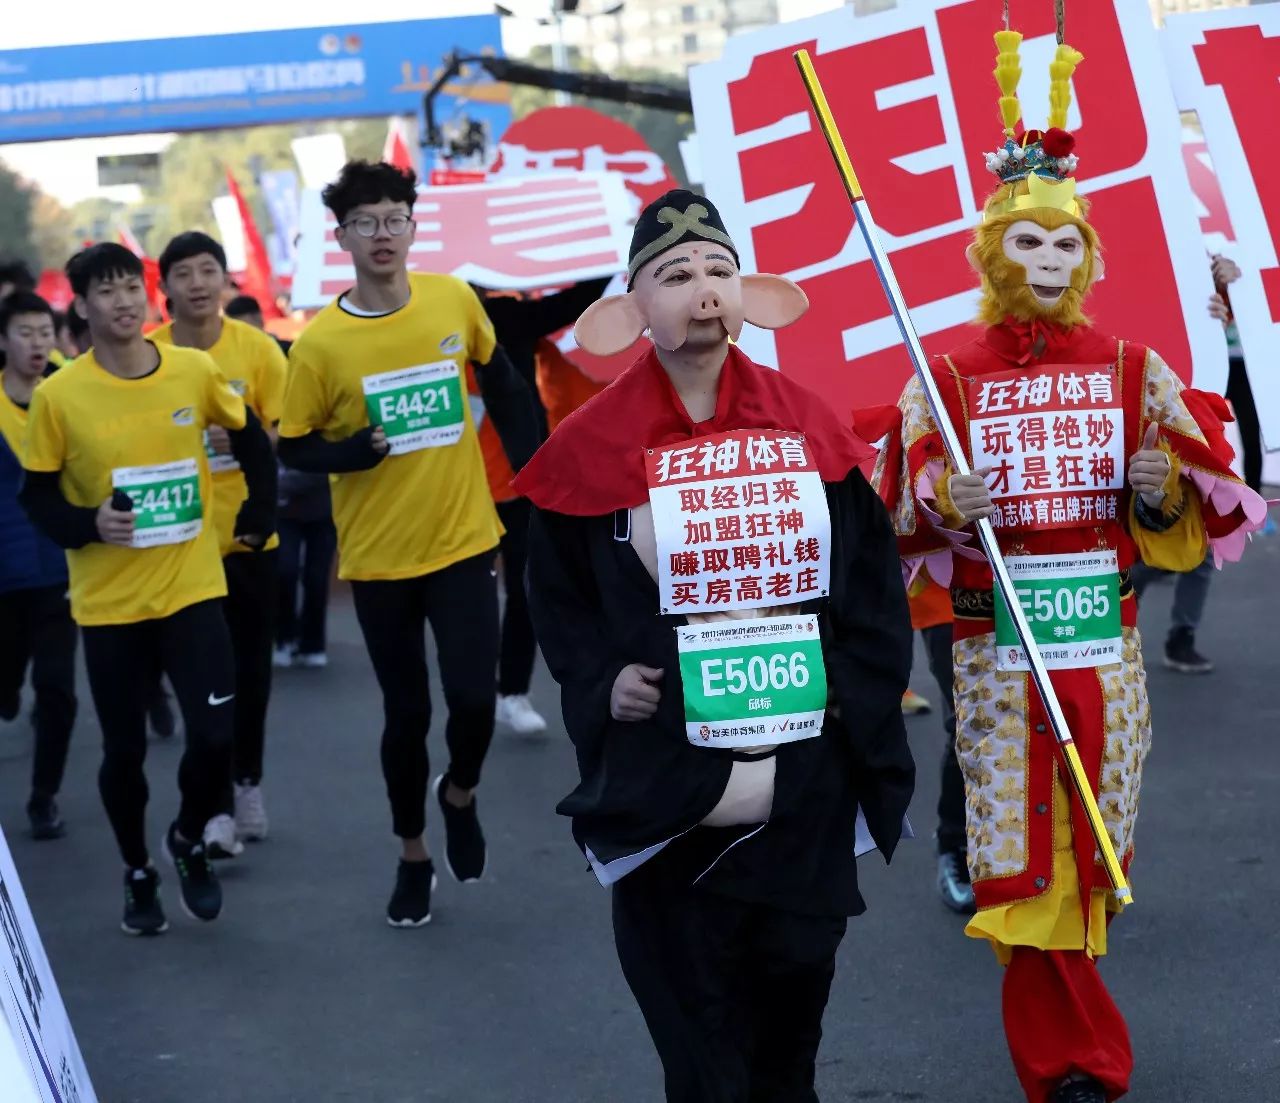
<point x="595" y="463"/>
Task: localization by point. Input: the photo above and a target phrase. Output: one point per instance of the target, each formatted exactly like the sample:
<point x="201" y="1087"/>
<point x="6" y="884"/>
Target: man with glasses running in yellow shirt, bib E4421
<point x="377" y="399"/>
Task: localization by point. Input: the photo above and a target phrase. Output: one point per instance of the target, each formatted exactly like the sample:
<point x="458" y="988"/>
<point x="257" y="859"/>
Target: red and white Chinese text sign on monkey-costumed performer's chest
<point x="1054" y="443"/>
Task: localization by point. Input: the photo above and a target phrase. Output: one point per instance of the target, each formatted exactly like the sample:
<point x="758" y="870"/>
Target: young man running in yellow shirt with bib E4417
<point x="118" y="474"/>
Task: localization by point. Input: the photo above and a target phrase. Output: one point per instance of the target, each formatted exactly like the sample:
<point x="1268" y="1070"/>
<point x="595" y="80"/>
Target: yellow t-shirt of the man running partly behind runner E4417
<point x="255" y="368"/>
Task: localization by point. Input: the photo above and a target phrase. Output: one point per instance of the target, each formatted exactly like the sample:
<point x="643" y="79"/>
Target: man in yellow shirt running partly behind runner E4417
<point x="194" y="274"/>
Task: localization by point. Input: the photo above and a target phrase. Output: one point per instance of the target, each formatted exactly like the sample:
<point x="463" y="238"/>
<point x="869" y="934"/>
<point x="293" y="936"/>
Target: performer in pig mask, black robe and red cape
<point x="717" y="591"/>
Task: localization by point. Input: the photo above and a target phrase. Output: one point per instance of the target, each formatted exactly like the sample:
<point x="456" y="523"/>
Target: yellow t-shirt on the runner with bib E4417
<point x="103" y="432"/>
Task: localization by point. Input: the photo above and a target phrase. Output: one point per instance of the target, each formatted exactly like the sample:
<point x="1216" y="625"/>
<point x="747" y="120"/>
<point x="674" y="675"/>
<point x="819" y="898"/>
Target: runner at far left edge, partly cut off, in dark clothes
<point x="36" y="624"/>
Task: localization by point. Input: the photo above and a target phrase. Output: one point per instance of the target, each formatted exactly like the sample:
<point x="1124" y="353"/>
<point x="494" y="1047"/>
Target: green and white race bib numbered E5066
<point x="753" y="683"/>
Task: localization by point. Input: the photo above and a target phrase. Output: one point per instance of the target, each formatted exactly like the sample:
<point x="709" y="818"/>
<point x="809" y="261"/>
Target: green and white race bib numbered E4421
<point x="418" y="408"/>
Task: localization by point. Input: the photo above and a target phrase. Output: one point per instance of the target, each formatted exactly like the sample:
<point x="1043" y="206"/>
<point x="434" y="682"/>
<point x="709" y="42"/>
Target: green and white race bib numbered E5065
<point x="1073" y="607"/>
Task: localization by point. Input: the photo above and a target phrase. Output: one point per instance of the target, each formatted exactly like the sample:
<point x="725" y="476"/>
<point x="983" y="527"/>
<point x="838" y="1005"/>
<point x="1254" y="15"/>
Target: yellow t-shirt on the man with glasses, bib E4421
<point x="427" y="505"/>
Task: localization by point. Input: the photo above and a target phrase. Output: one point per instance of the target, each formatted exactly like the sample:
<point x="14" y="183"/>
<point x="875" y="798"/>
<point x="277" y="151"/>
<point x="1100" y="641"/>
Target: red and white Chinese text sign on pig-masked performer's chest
<point x="740" y="521"/>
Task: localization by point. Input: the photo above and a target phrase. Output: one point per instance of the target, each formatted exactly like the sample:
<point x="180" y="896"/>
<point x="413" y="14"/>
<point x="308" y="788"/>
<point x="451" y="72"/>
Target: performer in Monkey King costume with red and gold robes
<point x="1095" y="456"/>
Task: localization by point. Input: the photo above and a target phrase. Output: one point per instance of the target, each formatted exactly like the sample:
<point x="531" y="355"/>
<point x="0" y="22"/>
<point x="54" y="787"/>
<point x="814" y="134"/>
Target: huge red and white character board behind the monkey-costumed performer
<point x="913" y="94"/>
